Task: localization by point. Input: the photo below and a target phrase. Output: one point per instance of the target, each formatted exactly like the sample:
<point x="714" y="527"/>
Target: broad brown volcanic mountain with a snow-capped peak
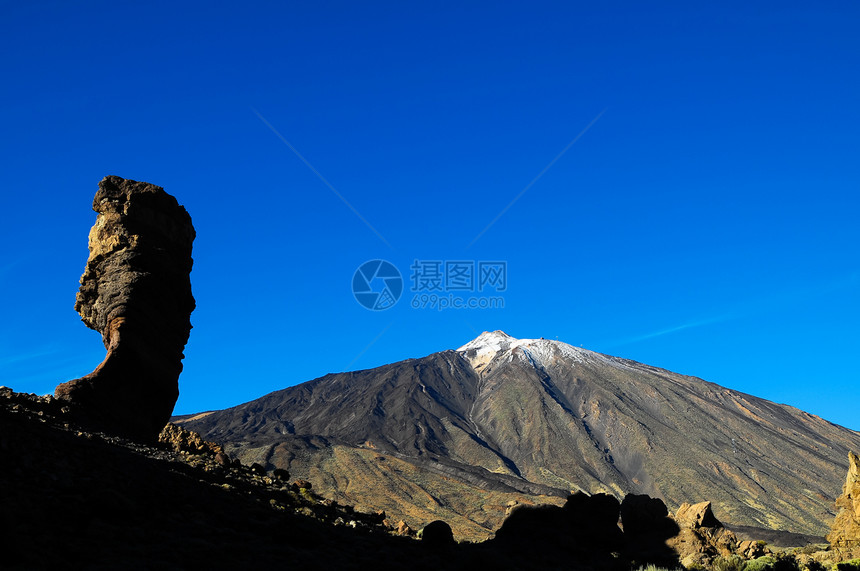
<point x="459" y="435"/>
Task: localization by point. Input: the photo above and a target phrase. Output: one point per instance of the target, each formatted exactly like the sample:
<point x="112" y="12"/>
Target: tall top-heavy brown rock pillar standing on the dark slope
<point x="135" y="291"/>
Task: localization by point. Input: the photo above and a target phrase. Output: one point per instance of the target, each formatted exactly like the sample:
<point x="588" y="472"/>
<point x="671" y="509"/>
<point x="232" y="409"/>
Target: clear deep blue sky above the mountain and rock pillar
<point x="705" y="220"/>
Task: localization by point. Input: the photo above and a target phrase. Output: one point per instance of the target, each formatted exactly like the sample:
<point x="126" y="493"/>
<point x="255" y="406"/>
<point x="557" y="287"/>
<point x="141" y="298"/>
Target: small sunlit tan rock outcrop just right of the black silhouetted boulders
<point x="702" y="538"/>
